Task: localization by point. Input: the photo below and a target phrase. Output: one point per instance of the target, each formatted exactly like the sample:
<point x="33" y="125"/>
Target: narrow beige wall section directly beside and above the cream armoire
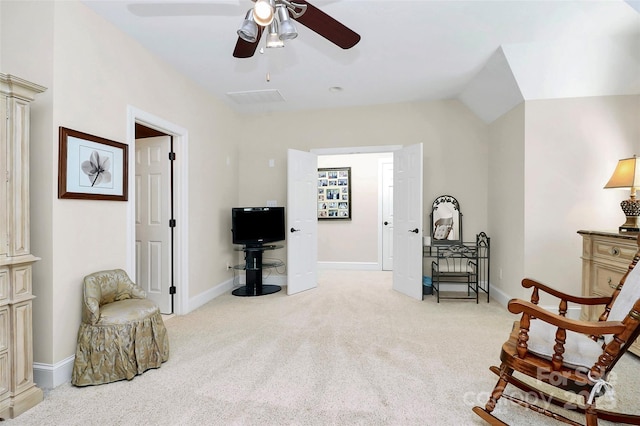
<point x="29" y="55"/>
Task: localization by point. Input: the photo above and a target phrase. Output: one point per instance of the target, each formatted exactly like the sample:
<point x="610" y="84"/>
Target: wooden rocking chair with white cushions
<point x="574" y="356"/>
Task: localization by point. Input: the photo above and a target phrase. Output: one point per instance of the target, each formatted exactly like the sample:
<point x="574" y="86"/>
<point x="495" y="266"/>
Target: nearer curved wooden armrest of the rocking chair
<point x="594" y="328"/>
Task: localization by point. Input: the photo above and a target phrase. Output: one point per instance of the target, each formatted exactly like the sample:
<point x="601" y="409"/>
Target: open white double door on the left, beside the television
<point x="302" y="221"/>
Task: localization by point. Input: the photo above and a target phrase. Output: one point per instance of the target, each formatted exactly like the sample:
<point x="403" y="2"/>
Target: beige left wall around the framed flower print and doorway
<point x="97" y="73"/>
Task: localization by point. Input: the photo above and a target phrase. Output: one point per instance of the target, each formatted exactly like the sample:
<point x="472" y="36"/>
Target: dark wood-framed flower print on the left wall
<point x="91" y="167"/>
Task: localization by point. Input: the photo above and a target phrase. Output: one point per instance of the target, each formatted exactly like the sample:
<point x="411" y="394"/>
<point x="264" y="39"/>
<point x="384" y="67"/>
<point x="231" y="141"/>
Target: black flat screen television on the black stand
<point x="255" y="226"/>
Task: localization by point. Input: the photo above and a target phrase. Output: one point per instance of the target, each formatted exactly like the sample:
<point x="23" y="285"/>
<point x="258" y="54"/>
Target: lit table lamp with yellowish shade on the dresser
<point x="627" y="175"/>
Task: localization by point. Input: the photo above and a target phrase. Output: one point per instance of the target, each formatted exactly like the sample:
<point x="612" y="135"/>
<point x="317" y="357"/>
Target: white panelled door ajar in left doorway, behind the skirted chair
<point x="153" y="235"/>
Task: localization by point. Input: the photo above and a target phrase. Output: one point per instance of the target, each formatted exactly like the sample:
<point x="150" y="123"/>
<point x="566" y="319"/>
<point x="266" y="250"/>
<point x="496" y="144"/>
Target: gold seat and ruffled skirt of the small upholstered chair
<point x="128" y="339"/>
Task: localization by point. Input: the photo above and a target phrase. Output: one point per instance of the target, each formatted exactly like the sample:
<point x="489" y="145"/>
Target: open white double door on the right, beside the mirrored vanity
<point x="407" y="214"/>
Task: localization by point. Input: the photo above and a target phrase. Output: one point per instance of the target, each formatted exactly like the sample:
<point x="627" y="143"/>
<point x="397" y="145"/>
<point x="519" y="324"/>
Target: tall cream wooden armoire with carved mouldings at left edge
<point x="18" y="391"/>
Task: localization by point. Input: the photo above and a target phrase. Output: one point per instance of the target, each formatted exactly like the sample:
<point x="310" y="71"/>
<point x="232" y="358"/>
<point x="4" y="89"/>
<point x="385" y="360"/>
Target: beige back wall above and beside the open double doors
<point x="455" y="149"/>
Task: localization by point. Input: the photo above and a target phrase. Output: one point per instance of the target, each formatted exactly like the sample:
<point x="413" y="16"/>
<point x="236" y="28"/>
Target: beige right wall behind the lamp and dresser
<point x="571" y="149"/>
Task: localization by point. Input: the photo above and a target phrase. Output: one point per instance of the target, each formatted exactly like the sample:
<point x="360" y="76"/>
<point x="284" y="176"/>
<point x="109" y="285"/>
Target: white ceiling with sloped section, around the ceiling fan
<point x="489" y="54"/>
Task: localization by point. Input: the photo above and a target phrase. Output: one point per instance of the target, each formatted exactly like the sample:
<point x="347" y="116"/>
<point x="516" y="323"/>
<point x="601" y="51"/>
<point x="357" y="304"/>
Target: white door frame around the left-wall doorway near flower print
<point x="180" y="201"/>
